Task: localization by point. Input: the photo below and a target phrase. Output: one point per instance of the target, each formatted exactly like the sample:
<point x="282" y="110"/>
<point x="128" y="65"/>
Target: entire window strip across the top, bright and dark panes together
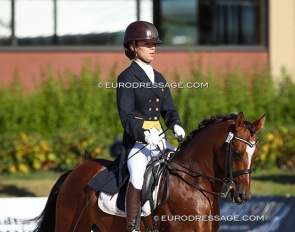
<point x="100" y="22"/>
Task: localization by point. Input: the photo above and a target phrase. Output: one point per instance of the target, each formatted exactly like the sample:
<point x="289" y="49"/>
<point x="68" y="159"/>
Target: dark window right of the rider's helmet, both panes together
<point x="214" y="22"/>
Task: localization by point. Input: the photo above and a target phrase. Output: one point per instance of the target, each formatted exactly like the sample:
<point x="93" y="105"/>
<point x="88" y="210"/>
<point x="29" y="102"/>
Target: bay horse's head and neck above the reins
<point x="221" y="152"/>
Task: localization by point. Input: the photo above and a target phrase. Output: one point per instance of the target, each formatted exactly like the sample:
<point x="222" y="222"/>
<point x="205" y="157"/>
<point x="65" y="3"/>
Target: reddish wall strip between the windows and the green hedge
<point x="29" y="64"/>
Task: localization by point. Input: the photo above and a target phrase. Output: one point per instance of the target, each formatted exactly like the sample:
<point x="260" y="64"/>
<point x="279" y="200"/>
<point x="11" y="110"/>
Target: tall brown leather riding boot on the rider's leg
<point x="132" y="206"/>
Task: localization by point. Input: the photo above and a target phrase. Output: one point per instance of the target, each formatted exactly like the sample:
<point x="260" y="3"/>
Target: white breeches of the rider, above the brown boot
<point x="138" y="162"/>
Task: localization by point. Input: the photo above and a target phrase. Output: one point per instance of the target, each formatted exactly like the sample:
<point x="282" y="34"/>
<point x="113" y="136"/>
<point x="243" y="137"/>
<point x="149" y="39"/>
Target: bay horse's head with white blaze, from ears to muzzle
<point x="241" y="151"/>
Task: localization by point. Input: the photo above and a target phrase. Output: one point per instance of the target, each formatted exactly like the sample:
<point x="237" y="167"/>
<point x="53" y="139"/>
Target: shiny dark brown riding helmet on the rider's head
<point x="139" y="30"/>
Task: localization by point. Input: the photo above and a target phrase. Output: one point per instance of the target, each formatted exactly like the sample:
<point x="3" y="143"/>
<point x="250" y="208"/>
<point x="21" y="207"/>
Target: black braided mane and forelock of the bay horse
<point x="207" y="122"/>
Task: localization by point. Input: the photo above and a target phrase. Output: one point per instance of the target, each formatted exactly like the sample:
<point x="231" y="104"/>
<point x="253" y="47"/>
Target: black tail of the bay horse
<point x="46" y="220"/>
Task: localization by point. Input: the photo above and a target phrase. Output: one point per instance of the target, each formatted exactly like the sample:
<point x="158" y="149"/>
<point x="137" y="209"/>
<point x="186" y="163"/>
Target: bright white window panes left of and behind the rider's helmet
<point x="70" y="22"/>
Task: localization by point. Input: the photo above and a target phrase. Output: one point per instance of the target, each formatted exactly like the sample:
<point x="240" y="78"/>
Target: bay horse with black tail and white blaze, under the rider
<point x="215" y="160"/>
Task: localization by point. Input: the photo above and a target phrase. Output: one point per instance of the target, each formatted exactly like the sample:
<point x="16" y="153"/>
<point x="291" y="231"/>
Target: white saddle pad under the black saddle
<point x="108" y="204"/>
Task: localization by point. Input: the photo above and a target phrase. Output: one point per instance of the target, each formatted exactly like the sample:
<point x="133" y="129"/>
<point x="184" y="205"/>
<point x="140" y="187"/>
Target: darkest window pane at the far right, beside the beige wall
<point x="229" y="22"/>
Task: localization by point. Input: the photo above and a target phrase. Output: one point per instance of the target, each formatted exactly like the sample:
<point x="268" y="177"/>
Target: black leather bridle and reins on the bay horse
<point x="230" y="174"/>
